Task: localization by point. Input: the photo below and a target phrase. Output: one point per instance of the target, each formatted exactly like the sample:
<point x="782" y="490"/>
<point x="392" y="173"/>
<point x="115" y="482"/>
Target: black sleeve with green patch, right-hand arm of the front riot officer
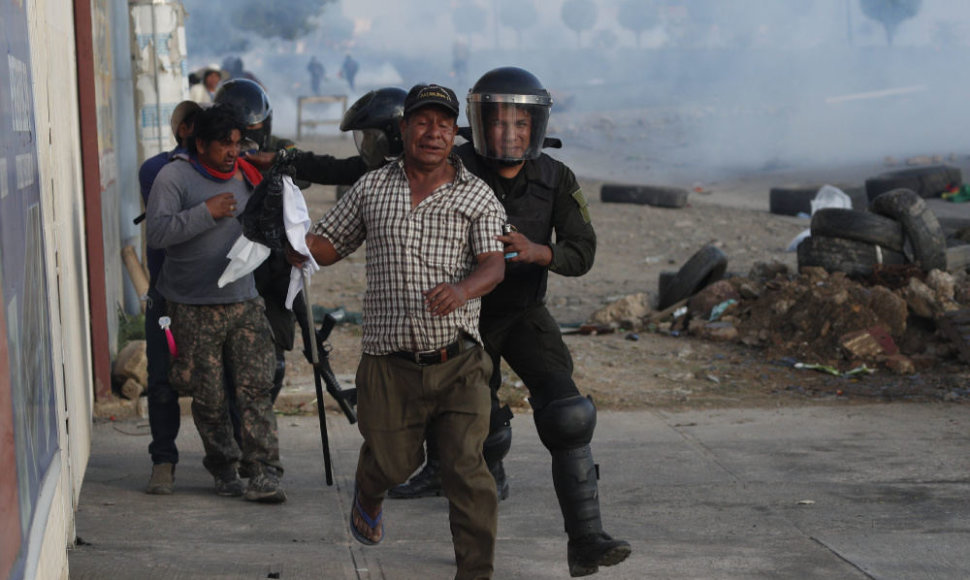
<point x="575" y="244"/>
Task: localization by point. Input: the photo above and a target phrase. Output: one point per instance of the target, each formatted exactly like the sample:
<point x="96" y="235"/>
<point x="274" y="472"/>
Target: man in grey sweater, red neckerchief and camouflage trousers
<point x="190" y="214"/>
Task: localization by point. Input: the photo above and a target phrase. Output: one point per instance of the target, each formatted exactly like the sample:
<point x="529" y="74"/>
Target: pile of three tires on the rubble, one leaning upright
<point x="898" y="229"/>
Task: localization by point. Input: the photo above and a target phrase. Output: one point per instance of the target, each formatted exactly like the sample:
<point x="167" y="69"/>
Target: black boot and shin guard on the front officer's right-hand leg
<point x="574" y="475"/>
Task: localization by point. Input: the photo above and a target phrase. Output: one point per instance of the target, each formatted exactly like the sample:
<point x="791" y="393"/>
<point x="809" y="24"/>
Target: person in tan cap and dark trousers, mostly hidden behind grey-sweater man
<point x="164" y="413"/>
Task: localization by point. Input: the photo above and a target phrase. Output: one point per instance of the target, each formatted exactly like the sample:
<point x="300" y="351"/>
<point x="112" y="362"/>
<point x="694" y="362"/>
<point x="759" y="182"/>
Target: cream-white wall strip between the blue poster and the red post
<point x="54" y="74"/>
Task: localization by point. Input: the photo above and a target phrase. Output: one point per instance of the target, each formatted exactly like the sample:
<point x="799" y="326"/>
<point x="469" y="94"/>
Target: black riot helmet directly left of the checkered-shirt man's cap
<point x="375" y="119"/>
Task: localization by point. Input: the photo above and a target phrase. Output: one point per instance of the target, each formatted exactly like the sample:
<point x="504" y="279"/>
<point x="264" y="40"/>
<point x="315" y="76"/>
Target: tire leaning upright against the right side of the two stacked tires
<point x="919" y="225"/>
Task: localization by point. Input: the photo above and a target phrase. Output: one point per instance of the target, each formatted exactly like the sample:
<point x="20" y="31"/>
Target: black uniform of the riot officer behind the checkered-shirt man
<point x="542" y="199"/>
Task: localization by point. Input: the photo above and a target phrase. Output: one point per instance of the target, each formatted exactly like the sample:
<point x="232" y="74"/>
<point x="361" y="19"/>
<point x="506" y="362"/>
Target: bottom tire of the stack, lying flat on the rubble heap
<point x="853" y="257"/>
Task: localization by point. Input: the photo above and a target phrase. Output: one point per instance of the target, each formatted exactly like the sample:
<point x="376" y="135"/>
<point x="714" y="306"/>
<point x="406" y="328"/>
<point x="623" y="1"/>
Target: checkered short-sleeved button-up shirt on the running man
<point x="412" y="250"/>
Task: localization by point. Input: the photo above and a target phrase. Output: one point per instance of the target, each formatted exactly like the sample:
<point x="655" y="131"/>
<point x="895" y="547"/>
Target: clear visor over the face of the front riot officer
<point x="509" y="128"/>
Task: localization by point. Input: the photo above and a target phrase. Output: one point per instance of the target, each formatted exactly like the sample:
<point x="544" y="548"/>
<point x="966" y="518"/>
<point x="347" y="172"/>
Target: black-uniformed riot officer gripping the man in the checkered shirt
<point x="508" y="110"/>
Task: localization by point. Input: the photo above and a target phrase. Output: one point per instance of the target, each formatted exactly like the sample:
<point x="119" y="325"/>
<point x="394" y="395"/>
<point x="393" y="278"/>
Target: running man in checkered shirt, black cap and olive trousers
<point x="432" y="252"/>
